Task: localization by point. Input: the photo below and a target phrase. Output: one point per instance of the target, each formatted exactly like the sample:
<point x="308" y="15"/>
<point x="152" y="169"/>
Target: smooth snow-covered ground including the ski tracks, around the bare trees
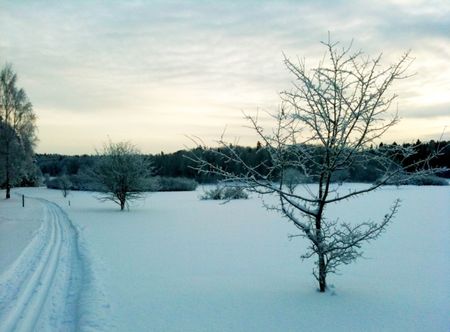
<point x="175" y="263"/>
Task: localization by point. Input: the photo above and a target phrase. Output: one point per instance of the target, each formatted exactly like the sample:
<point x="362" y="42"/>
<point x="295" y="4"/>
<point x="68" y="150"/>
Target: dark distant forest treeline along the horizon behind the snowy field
<point x="178" y="164"/>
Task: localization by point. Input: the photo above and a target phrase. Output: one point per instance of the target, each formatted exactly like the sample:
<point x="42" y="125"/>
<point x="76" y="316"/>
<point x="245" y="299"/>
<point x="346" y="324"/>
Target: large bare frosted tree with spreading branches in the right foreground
<point x="326" y="122"/>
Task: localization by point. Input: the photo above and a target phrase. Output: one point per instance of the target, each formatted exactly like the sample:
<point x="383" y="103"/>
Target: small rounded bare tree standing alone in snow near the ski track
<point x="121" y="173"/>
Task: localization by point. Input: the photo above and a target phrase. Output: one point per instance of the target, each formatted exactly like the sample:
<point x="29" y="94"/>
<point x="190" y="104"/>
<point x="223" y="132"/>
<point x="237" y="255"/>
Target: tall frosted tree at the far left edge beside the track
<point x="17" y="130"/>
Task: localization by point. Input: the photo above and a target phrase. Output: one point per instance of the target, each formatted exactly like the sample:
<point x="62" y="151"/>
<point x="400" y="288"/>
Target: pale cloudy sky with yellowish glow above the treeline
<point x="153" y="72"/>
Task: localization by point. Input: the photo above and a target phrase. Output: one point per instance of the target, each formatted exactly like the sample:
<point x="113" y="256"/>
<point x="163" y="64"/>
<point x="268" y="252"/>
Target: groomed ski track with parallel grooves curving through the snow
<point x="40" y="291"/>
